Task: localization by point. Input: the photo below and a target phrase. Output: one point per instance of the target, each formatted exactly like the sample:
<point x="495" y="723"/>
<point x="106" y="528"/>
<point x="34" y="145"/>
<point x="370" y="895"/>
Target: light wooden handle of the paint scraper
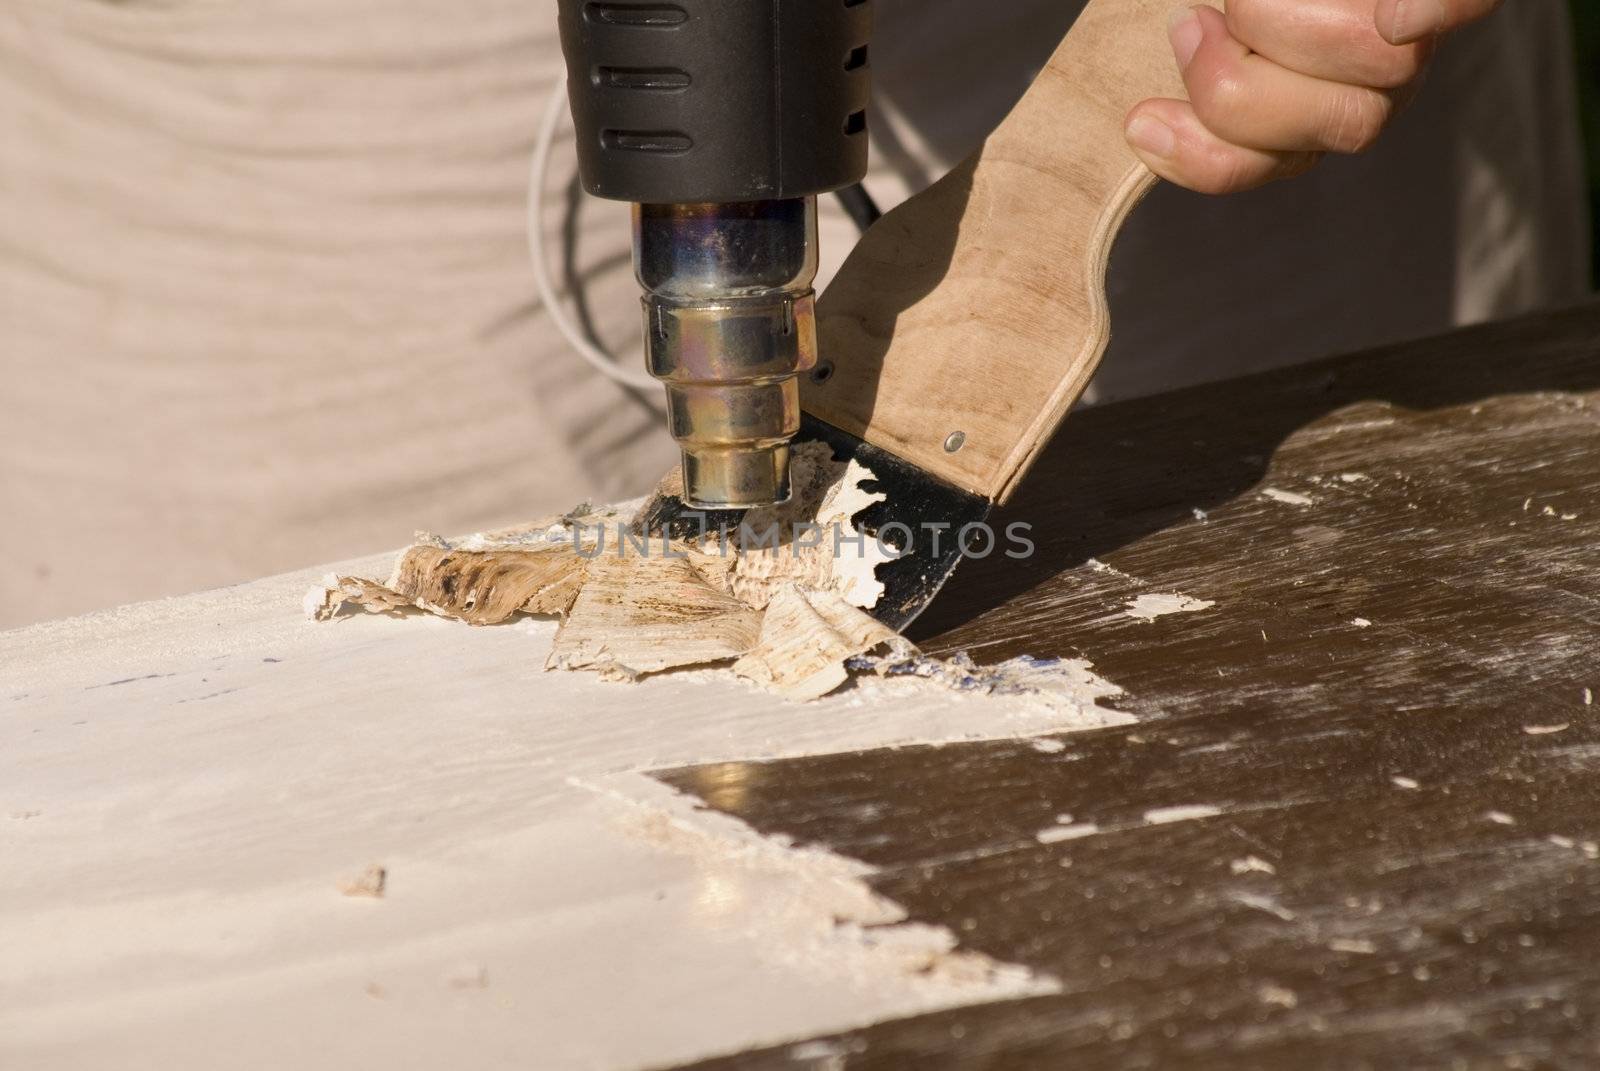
<point x="978" y="307"/>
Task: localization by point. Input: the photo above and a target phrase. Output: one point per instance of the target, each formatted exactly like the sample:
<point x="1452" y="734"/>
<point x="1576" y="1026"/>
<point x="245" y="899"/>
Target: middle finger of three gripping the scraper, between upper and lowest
<point x="1255" y="103"/>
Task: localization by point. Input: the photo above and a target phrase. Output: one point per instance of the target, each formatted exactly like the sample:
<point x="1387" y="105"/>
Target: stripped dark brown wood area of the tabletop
<point x="1404" y="865"/>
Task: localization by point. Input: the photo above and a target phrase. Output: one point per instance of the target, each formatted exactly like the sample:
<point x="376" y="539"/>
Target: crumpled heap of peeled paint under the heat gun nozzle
<point x="793" y="619"/>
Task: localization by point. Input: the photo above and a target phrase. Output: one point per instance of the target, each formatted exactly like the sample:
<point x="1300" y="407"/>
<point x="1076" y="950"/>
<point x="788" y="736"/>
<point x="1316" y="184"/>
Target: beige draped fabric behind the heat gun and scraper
<point x="265" y="297"/>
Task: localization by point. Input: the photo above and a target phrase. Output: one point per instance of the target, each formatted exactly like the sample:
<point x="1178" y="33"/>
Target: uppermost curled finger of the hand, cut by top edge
<point x="1335" y="41"/>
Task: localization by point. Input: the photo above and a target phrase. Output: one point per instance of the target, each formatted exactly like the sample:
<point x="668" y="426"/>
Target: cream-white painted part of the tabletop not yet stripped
<point x="177" y="812"/>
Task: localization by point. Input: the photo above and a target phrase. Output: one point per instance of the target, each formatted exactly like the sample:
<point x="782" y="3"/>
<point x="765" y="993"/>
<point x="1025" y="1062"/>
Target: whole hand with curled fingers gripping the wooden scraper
<point x="1278" y="84"/>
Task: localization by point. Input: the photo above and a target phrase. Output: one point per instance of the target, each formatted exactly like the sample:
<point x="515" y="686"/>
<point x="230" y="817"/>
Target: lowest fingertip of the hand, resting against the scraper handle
<point x="1174" y="143"/>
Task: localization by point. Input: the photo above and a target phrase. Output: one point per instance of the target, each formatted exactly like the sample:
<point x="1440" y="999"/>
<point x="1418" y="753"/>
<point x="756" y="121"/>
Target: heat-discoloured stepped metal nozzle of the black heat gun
<point x="730" y="323"/>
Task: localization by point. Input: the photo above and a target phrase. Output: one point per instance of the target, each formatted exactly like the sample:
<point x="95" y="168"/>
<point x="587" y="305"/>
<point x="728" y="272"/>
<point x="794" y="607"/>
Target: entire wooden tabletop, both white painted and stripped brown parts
<point x="188" y="784"/>
